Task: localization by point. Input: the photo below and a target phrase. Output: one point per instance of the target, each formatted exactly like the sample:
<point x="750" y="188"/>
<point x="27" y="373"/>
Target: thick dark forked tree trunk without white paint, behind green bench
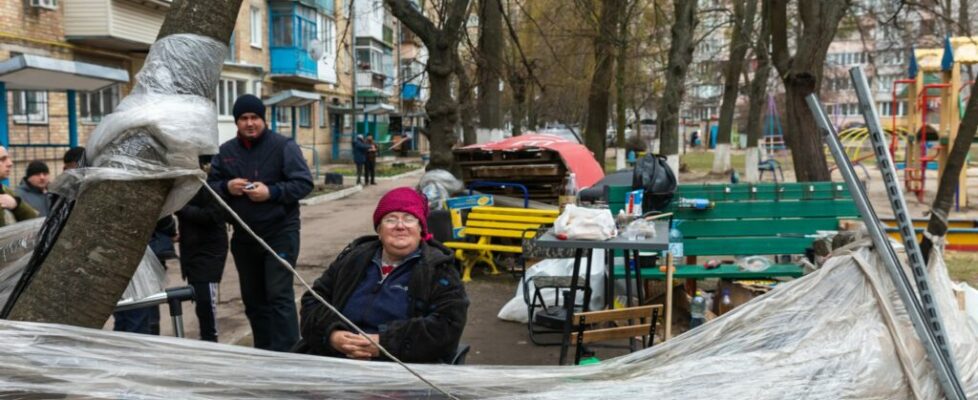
<point x="801" y="74"/>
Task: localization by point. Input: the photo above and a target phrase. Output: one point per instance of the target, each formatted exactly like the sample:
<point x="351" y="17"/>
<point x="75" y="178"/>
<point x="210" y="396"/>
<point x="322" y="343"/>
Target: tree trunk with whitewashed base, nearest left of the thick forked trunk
<point x="758" y="95"/>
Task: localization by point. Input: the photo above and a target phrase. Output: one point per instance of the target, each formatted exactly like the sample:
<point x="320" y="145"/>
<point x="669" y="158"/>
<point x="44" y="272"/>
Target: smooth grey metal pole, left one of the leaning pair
<point x="884" y="249"/>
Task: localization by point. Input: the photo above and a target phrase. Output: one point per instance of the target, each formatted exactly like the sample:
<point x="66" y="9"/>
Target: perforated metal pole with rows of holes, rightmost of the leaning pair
<point x="898" y="203"/>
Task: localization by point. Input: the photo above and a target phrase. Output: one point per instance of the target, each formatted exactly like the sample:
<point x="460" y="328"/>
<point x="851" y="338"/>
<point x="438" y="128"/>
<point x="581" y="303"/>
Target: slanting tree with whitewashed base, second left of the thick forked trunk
<point x="743" y="21"/>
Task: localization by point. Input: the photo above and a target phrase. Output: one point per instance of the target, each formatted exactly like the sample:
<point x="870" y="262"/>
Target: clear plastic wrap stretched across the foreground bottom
<point x="838" y="333"/>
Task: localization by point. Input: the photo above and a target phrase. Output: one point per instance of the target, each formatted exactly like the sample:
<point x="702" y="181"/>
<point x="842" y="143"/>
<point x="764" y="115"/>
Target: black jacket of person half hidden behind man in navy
<point x="203" y="238"/>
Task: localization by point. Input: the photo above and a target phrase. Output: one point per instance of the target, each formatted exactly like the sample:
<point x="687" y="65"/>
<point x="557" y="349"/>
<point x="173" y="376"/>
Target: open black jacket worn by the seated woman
<point x="432" y="333"/>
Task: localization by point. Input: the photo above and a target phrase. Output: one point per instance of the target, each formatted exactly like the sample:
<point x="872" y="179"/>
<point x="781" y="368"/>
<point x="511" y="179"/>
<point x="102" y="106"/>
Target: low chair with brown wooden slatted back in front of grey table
<point x="591" y="327"/>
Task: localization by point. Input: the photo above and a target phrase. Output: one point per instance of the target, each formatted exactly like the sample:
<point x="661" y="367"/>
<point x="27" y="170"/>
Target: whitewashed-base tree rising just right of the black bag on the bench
<point x="680" y="57"/>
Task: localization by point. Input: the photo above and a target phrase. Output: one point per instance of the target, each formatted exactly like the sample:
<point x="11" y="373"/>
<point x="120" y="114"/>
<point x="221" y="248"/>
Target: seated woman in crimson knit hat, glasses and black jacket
<point x="400" y="287"/>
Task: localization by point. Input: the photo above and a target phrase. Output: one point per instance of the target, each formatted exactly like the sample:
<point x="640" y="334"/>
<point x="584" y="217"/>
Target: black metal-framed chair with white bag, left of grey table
<point x="550" y="319"/>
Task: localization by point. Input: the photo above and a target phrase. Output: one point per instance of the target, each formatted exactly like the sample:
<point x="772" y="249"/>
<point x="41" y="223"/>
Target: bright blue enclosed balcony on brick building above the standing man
<point x="293" y="29"/>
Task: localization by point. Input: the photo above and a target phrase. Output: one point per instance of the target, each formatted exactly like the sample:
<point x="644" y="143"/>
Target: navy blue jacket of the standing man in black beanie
<point x="274" y="160"/>
